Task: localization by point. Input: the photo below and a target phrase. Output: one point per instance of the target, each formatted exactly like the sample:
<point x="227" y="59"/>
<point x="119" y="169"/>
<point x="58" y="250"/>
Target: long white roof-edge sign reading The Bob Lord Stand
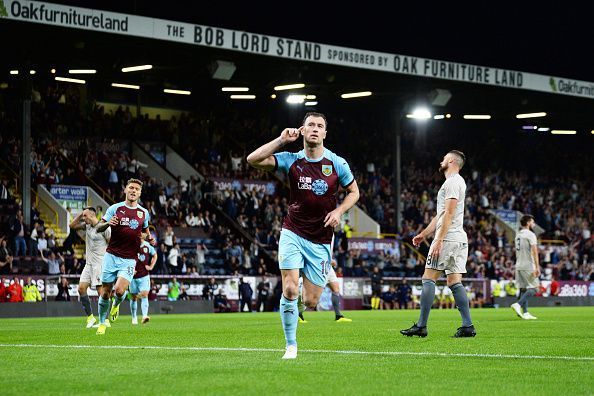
<point x="259" y="44"/>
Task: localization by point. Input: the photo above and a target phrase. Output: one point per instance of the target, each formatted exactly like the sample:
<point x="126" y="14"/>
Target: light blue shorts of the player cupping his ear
<point x="295" y="252"/>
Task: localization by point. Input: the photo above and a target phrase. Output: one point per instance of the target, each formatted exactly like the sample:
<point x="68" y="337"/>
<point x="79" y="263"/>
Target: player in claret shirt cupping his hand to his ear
<point x="314" y="175"/>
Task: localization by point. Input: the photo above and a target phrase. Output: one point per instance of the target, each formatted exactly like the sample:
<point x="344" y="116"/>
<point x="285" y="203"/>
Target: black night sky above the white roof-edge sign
<point x="534" y="37"/>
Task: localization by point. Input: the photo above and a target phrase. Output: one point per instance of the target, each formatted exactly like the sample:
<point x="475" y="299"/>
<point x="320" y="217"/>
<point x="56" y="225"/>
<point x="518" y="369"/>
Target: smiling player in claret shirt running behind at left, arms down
<point x="128" y="221"/>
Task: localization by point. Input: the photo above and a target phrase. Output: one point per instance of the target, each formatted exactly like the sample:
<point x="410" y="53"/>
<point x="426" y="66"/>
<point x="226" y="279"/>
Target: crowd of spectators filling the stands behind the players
<point x="216" y="143"/>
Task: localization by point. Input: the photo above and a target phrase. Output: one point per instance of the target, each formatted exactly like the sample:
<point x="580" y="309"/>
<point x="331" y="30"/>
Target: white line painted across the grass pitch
<point x="326" y="351"/>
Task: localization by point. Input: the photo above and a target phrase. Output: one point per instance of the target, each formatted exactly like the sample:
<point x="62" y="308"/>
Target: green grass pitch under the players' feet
<point x="558" y="332"/>
